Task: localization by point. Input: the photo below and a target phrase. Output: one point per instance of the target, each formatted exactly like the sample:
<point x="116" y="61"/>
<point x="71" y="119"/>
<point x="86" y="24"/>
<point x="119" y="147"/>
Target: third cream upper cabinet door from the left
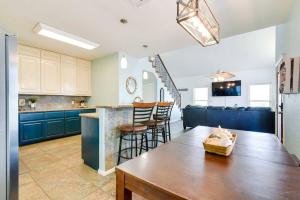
<point x="68" y="75"/>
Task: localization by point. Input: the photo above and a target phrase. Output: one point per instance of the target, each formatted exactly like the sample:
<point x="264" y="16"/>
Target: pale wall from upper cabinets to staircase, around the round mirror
<point x="109" y="81"/>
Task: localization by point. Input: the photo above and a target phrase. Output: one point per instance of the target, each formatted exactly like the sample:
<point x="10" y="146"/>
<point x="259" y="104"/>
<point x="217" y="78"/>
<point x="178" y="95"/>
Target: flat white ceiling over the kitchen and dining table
<point x="153" y="23"/>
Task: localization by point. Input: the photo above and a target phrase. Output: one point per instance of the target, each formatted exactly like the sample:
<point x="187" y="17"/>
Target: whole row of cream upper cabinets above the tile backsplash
<point x="47" y="73"/>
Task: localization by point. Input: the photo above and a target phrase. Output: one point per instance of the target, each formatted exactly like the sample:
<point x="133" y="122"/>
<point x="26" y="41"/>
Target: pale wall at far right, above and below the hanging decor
<point x="288" y="42"/>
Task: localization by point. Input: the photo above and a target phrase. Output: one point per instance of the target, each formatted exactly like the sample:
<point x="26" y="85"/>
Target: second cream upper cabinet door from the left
<point x="50" y="72"/>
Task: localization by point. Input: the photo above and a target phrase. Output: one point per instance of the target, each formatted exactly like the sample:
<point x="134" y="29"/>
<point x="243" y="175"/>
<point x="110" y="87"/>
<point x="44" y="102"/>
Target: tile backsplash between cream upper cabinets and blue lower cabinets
<point x="53" y="102"/>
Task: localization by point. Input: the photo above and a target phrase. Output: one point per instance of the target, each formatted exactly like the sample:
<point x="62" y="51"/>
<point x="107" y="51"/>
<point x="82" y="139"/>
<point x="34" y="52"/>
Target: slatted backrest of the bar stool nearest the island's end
<point x="142" y="112"/>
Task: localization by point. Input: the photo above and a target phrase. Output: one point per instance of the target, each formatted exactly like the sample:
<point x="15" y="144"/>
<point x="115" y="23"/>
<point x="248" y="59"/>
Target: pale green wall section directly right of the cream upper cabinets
<point x="105" y="81"/>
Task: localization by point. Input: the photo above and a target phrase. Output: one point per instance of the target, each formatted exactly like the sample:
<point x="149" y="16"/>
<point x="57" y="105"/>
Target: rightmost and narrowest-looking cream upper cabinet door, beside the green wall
<point x="83" y="77"/>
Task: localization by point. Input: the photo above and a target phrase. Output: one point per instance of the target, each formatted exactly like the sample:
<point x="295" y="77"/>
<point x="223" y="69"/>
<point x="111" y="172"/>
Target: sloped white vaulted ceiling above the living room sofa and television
<point x="242" y="52"/>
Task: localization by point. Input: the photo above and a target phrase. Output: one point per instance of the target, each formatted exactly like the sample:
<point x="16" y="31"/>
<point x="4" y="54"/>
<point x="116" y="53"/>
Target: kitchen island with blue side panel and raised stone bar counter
<point x="100" y="136"/>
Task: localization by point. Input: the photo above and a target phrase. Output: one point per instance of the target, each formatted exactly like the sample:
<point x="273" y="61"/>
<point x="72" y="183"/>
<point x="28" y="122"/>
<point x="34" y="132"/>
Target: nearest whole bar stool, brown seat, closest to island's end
<point x="129" y="132"/>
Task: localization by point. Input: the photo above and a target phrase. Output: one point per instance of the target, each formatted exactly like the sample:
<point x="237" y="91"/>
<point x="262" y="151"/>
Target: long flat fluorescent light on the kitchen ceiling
<point x="62" y="36"/>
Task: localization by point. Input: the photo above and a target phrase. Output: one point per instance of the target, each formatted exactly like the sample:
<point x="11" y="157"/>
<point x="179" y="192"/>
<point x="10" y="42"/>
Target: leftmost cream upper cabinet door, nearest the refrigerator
<point x="29" y="70"/>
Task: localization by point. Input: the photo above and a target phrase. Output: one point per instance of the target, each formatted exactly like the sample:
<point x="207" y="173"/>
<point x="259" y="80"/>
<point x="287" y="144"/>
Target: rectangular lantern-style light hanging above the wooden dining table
<point x="197" y="19"/>
